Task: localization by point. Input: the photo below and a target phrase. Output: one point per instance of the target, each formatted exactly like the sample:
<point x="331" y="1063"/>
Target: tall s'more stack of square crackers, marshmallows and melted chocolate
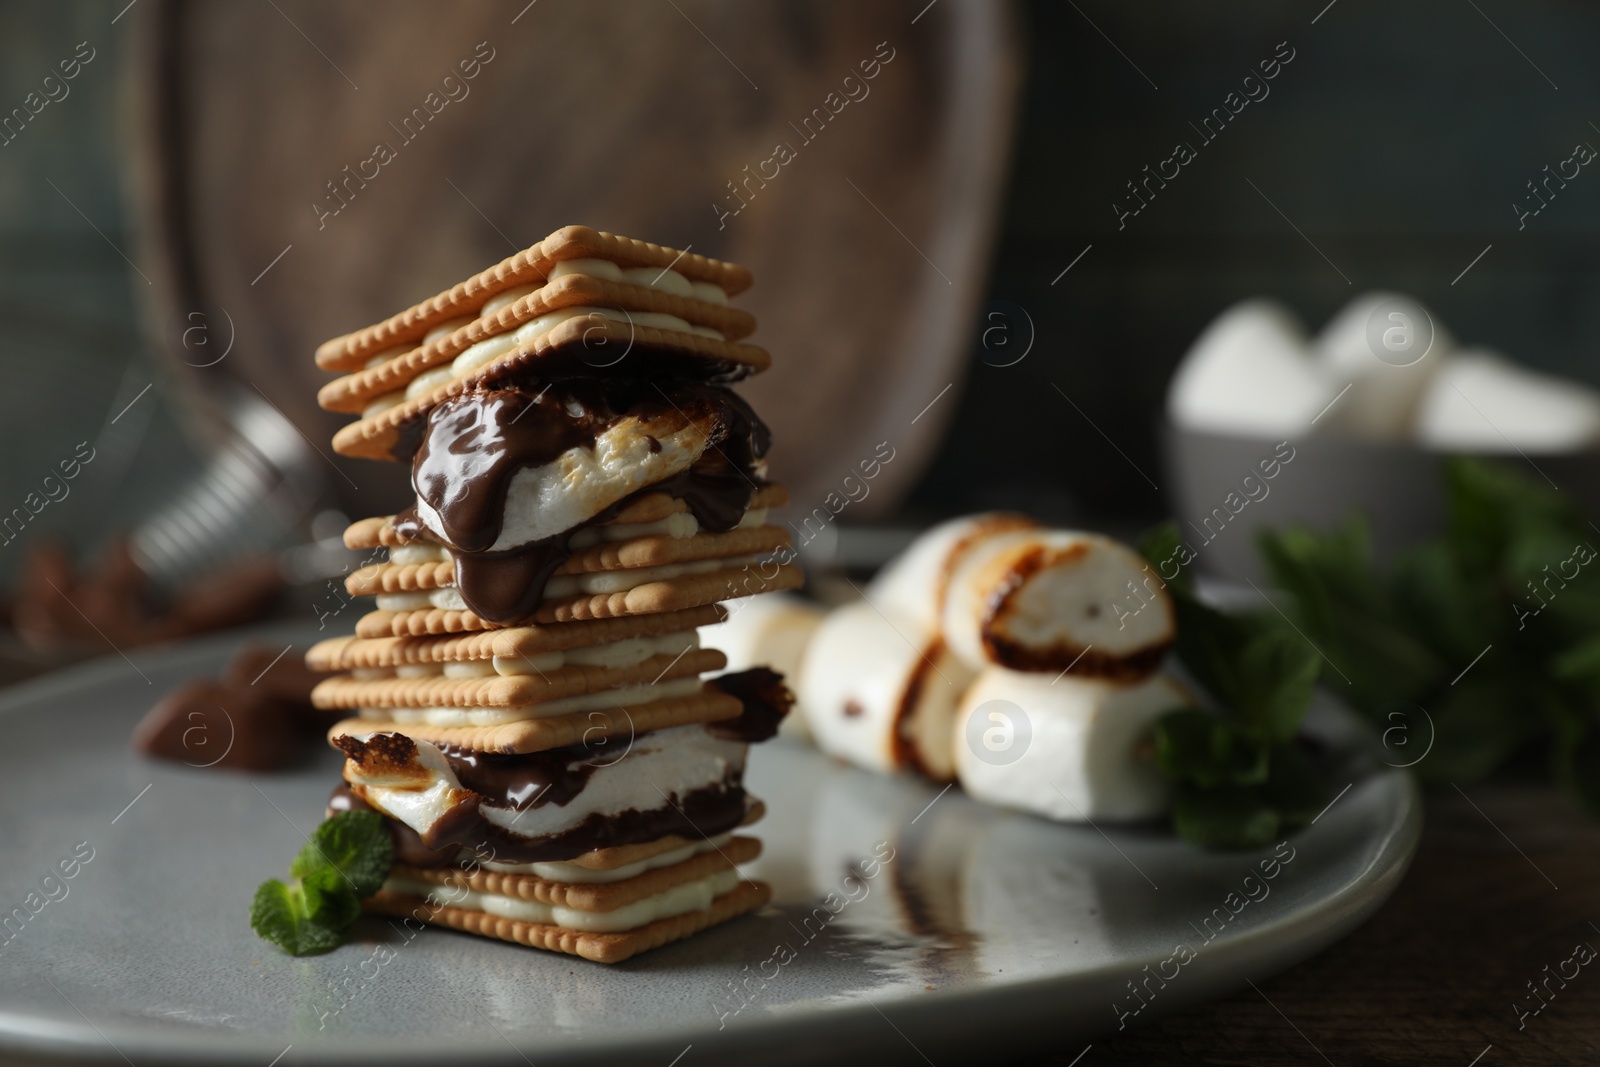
<point x="526" y="703"/>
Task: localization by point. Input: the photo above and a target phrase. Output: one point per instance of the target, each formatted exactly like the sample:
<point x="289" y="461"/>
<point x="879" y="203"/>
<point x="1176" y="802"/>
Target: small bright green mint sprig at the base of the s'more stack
<point x="345" y="861"/>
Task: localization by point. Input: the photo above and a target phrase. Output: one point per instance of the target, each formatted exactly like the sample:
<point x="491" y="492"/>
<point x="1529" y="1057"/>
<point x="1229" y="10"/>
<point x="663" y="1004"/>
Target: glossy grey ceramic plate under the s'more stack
<point x="986" y="932"/>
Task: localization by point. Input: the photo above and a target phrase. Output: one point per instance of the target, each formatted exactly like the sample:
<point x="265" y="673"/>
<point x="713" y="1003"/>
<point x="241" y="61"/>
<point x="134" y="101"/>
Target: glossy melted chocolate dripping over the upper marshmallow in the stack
<point x="479" y="441"/>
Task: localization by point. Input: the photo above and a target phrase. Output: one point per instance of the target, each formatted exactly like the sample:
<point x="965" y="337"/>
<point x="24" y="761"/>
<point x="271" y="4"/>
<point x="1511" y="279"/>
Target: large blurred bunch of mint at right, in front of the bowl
<point x="1490" y="628"/>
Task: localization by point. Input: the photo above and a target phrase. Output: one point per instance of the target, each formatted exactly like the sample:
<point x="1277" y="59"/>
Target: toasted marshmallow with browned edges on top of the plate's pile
<point x="1049" y="601"/>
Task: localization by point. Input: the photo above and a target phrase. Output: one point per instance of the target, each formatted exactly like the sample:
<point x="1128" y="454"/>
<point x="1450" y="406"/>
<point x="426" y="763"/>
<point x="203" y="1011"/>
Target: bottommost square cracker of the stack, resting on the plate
<point x="599" y="948"/>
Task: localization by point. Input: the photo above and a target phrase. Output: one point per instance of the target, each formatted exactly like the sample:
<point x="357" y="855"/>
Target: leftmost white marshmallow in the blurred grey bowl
<point x="1250" y="374"/>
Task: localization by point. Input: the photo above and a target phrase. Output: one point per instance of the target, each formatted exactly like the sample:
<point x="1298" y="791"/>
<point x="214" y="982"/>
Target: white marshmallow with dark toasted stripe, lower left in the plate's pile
<point x="881" y="693"/>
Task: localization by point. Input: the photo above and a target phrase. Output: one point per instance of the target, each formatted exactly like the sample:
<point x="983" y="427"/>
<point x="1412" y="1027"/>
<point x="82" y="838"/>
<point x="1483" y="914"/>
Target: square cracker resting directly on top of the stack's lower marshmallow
<point x="559" y="732"/>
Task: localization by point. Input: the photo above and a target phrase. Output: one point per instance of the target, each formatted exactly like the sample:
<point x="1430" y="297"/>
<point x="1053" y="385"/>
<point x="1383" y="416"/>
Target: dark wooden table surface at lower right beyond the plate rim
<point x="1503" y="887"/>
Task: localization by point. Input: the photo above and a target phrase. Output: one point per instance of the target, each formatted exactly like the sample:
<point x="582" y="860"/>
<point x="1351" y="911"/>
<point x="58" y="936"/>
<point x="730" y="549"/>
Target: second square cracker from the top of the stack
<point x="356" y="391"/>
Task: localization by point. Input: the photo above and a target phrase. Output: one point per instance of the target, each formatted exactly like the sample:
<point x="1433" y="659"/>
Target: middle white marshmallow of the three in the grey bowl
<point x="1385" y="393"/>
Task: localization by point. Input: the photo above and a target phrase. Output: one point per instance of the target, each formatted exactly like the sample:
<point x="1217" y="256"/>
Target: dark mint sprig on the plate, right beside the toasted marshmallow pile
<point x="1241" y="777"/>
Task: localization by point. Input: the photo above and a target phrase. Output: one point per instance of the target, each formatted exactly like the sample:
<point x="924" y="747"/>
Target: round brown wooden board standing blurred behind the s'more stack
<point x="870" y="246"/>
